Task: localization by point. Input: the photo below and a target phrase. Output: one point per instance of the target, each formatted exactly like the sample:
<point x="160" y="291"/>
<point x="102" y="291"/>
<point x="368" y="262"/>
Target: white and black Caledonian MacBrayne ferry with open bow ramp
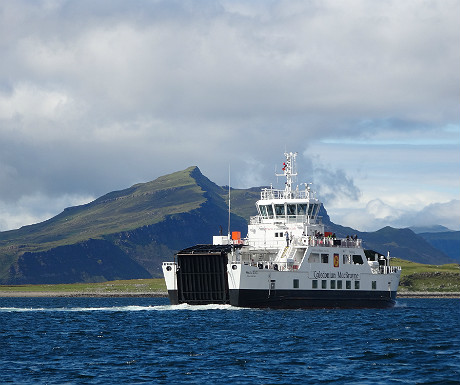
<point x="287" y="260"/>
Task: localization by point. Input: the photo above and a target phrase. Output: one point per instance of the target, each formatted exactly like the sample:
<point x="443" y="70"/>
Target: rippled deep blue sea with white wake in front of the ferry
<point x="148" y="341"/>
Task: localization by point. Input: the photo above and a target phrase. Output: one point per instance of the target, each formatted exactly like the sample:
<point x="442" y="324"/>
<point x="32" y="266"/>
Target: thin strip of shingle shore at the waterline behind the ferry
<point x="95" y="294"/>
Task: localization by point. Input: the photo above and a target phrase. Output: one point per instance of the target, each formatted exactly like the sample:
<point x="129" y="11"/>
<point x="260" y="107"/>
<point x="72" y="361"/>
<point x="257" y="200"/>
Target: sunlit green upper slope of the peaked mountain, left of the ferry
<point x="140" y="205"/>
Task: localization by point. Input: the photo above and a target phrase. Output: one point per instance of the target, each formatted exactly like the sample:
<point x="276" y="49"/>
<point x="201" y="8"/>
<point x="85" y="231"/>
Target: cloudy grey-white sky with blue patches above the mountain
<point x="98" y="95"/>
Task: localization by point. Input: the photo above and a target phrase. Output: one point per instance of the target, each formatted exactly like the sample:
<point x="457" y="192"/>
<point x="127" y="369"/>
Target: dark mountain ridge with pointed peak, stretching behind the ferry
<point x="128" y="233"/>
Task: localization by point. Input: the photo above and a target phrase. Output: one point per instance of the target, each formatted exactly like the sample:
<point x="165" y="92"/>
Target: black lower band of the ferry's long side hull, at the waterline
<point x="311" y="299"/>
